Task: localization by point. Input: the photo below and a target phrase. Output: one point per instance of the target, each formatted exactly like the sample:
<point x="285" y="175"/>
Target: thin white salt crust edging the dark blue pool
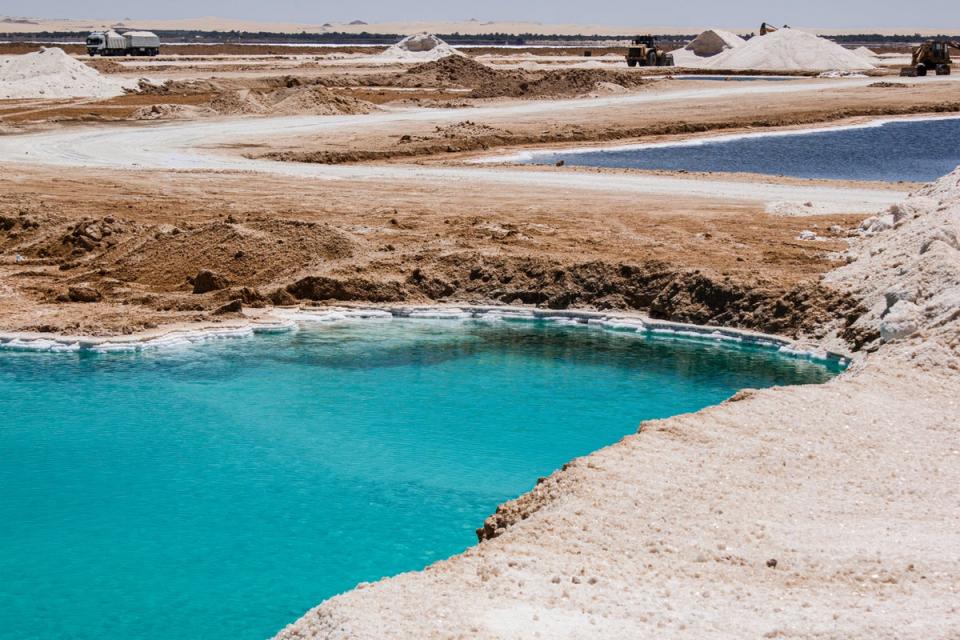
<point x="696" y="141"/>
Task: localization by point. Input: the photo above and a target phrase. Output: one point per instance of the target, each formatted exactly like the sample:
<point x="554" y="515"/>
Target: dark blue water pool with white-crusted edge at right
<point x="917" y="150"/>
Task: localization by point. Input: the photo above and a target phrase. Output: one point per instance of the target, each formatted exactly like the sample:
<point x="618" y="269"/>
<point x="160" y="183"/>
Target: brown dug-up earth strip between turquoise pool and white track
<point x="138" y="242"/>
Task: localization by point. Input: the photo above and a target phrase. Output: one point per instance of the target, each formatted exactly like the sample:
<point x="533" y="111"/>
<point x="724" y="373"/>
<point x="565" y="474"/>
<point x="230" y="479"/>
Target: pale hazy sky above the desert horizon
<point x="832" y="14"/>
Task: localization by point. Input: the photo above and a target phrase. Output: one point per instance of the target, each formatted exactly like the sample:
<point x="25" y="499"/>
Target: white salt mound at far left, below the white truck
<point x="51" y="73"/>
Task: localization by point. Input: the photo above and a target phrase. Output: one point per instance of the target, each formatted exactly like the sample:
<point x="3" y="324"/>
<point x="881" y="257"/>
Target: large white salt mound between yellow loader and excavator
<point x="790" y="50"/>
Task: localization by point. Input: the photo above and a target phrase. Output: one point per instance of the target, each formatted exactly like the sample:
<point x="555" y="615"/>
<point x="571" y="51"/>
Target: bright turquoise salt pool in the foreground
<point x="220" y="490"/>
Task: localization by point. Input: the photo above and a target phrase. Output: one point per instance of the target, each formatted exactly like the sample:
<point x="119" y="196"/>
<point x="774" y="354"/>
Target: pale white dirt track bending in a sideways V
<point x="194" y="146"/>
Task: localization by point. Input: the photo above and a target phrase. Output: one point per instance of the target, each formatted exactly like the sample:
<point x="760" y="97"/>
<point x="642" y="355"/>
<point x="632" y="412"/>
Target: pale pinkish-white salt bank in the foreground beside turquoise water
<point x="809" y="511"/>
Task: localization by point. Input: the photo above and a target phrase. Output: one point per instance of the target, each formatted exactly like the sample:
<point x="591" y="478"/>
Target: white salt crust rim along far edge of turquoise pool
<point x="287" y="319"/>
